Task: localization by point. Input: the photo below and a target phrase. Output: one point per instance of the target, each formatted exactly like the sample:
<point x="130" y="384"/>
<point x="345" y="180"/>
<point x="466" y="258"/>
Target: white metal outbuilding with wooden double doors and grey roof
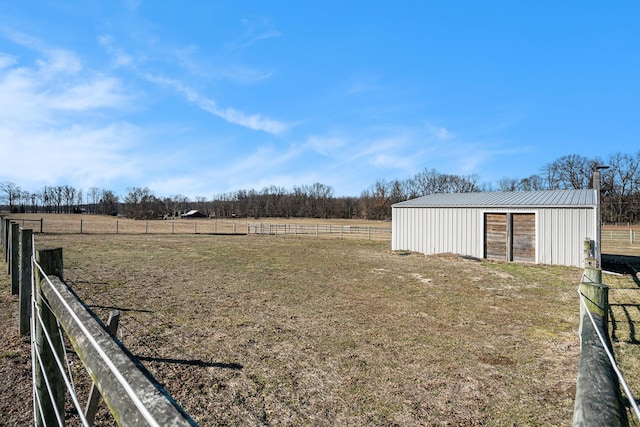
<point x="542" y="227"/>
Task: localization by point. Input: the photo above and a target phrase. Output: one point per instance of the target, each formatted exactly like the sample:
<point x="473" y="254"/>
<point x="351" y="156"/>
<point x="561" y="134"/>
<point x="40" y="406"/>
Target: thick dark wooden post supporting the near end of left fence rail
<point x="47" y="373"/>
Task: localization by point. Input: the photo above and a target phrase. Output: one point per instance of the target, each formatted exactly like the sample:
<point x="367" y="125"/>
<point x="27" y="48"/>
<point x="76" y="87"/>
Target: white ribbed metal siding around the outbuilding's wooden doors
<point x="560" y="232"/>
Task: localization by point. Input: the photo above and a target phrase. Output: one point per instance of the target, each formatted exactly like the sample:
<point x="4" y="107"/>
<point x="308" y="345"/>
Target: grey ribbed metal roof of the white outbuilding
<point x="546" y="198"/>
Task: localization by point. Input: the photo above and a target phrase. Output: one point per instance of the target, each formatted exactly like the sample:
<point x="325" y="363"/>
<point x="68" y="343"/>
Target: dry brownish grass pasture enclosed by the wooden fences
<point x="278" y="330"/>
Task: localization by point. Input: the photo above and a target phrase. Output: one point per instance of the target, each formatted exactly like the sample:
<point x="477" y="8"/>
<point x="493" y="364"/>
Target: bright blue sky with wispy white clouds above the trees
<point x="204" y="97"/>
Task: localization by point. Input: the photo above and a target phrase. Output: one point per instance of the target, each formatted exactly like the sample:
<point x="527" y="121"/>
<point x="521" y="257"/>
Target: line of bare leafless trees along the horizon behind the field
<point x="620" y="185"/>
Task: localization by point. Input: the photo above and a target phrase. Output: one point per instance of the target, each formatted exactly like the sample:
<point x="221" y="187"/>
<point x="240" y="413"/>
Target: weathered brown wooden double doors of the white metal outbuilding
<point x="510" y="237"/>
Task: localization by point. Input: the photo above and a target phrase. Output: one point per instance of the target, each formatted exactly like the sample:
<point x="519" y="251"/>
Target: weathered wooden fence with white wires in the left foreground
<point x="132" y="395"/>
